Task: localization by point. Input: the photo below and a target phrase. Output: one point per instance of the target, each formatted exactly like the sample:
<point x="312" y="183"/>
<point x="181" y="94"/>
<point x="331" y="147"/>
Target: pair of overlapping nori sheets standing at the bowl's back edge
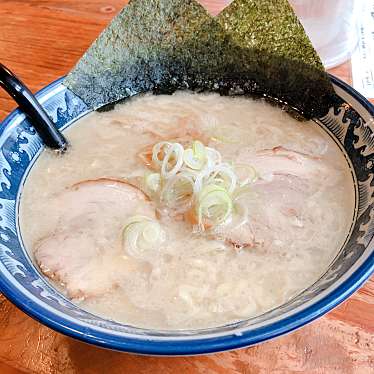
<point x="165" y="45"/>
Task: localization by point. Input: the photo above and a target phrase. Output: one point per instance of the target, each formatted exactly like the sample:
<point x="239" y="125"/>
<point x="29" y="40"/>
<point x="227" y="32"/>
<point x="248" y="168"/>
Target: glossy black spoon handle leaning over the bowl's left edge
<point x="30" y="106"/>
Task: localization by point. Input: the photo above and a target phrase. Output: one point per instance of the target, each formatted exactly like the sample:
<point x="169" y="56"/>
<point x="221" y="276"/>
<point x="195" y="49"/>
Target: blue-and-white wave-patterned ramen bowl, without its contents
<point x="350" y="123"/>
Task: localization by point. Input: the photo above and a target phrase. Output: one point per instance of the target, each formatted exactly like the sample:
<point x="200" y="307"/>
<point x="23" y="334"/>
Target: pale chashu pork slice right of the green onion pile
<point x="275" y="205"/>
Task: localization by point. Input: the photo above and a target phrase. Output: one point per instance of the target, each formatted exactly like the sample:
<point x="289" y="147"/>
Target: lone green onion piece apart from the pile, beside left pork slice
<point x="142" y="234"/>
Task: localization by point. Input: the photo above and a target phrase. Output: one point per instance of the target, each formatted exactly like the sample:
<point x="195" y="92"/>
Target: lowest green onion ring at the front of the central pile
<point x="214" y="204"/>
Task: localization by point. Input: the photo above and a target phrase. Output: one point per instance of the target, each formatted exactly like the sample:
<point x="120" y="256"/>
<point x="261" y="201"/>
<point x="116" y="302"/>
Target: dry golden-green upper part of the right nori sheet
<point x="269" y="25"/>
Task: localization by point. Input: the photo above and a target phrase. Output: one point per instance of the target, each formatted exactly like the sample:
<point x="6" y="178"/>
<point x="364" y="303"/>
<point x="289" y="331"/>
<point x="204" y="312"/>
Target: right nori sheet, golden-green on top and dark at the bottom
<point x="278" y="54"/>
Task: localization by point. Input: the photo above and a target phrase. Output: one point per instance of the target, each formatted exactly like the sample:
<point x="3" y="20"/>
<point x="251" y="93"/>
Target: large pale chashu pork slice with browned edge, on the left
<point x="84" y="252"/>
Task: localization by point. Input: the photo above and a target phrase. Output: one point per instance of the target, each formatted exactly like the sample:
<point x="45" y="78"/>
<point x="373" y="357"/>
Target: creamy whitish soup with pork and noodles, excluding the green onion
<point x="299" y="217"/>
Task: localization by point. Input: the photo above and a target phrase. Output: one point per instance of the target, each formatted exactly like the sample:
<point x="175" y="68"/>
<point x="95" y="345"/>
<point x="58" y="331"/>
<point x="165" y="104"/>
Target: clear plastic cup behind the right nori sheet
<point x="331" y="26"/>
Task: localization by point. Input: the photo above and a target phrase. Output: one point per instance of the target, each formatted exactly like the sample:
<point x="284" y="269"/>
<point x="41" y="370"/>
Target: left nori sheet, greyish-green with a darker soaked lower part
<point x="151" y="44"/>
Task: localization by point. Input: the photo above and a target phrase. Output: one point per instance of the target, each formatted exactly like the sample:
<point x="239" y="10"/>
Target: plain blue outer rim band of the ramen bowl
<point x="148" y="346"/>
